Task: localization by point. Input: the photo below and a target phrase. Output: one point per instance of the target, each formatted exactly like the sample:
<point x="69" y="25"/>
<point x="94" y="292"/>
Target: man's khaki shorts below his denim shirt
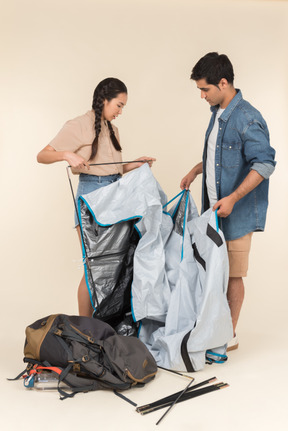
<point x="238" y="254"/>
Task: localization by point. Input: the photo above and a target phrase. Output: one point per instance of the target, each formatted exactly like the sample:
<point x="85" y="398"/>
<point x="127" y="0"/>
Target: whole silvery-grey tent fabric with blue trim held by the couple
<point x="168" y="269"/>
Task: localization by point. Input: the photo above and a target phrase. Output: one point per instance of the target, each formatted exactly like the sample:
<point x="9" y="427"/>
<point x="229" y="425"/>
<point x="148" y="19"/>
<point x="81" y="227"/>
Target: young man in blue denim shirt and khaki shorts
<point x="237" y="162"/>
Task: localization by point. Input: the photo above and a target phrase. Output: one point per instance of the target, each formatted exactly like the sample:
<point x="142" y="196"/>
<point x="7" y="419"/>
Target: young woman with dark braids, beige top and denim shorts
<point x="87" y="140"/>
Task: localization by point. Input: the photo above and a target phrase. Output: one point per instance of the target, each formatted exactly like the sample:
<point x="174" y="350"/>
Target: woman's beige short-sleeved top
<point x="77" y="136"/>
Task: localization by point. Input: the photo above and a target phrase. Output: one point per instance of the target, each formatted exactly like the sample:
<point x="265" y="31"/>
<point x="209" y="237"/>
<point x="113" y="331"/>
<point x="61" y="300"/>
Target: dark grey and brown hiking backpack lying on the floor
<point x="86" y="354"/>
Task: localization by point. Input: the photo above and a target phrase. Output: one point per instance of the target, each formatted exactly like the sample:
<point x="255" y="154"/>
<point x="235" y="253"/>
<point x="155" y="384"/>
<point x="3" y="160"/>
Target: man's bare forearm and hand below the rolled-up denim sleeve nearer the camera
<point x="226" y="205"/>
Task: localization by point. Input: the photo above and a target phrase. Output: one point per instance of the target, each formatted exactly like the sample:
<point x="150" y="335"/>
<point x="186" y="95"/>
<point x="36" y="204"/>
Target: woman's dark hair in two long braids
<point x="107" y="89"/>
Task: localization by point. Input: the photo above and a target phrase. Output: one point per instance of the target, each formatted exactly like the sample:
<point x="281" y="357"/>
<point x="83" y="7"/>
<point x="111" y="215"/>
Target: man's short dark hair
<point x="213" y="67"/>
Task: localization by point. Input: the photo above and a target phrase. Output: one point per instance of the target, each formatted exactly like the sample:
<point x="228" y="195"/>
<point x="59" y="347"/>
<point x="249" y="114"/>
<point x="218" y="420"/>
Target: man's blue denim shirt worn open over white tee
<point x="242" y="144"/>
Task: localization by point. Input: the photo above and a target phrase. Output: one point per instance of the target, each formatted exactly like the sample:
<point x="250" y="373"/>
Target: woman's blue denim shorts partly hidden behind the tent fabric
<point x="89" y="183"/>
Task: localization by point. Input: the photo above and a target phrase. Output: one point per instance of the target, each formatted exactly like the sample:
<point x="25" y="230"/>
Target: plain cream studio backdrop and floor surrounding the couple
<point x="53" y="53"/>
